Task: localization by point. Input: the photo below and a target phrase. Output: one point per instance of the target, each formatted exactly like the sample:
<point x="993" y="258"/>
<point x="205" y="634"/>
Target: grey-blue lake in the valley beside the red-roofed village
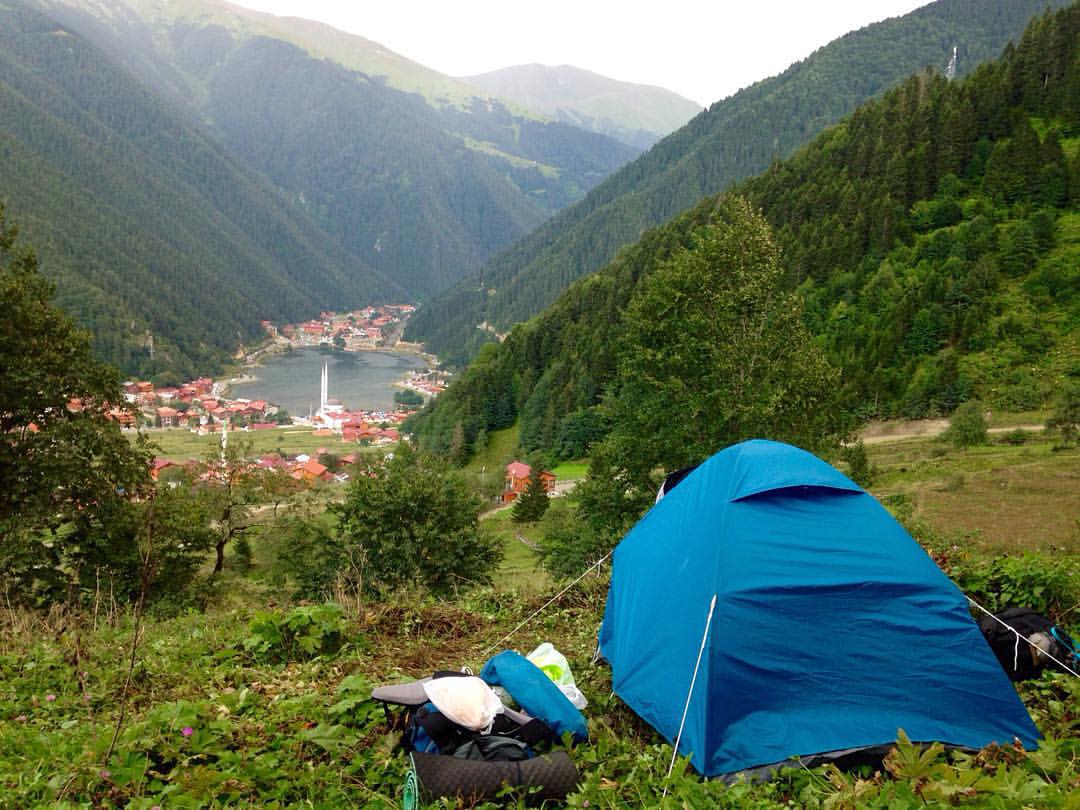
<point x="361" y="382"/>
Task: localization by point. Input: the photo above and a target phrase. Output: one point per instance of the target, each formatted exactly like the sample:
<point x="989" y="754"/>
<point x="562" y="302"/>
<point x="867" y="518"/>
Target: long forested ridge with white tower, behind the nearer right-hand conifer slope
<point x="734" y="140"/>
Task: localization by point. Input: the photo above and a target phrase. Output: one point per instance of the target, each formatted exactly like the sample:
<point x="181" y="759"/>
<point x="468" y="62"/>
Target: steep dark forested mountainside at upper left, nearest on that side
<point x="168" y="248"/>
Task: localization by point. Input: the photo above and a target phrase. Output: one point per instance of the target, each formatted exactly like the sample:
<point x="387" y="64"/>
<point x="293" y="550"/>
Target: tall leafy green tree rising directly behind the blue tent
<point x="715" y="352"/>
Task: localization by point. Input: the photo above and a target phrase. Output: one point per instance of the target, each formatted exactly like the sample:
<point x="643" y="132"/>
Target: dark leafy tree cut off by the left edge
<point x="64" y="463"/>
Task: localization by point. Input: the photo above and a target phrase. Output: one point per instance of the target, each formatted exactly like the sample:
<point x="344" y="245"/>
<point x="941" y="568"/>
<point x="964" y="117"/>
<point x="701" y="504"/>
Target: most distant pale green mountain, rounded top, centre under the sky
<point x="633" y="114"/>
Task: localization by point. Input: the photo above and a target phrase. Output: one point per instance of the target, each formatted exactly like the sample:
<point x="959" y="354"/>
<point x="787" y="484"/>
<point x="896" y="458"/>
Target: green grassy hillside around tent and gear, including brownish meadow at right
<point x="264" y="701"/>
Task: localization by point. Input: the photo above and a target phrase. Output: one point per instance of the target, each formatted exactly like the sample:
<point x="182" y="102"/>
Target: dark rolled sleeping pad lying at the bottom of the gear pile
<point x="474" y="781"/>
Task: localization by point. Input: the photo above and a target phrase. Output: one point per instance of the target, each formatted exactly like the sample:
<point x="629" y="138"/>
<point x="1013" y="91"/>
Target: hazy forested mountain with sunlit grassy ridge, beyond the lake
<point x="422" y="187"/>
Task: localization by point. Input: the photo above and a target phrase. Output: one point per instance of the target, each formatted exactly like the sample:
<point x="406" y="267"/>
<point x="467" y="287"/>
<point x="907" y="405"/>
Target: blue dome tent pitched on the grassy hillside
<point x="832" y="629"/>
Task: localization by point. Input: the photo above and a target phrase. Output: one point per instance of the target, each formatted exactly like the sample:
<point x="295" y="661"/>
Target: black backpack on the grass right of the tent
<point x="1027" y="659"/>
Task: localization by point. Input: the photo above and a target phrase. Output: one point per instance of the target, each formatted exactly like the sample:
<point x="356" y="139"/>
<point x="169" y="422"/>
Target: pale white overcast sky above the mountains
<point x="705" y="50"/>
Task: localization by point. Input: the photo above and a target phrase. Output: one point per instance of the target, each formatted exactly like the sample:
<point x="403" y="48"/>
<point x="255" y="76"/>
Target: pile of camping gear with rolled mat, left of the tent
<point x="466" y="744"/>
